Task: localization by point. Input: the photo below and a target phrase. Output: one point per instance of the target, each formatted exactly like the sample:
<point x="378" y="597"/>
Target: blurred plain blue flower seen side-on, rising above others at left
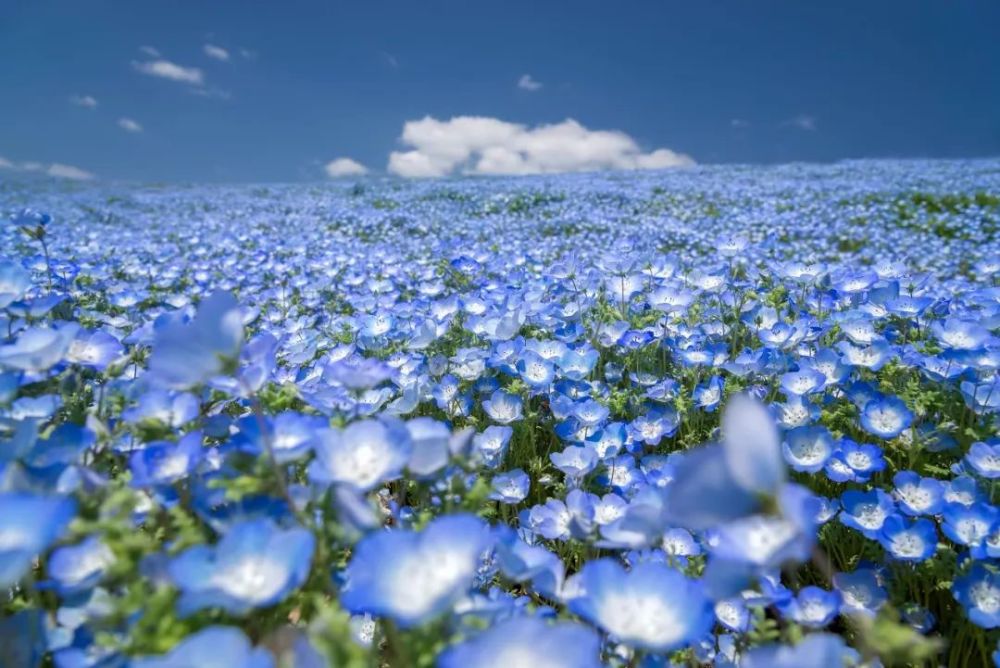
<point x="189" y="354"/>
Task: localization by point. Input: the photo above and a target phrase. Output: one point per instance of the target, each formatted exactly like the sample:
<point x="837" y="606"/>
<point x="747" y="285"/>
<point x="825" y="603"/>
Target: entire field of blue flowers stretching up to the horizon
<point x="740" y="416"/>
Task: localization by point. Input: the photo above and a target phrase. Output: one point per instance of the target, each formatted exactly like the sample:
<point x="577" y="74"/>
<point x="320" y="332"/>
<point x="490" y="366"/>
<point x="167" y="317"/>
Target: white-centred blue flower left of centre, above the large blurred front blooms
<point x="364" y="454"/>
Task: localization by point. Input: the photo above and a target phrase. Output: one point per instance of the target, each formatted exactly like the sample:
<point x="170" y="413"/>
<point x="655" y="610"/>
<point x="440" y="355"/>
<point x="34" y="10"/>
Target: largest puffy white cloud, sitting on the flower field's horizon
<point x="483" y="145"/>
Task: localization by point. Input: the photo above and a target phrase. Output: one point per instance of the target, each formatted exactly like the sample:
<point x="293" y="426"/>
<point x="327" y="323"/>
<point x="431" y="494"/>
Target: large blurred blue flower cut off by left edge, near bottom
<point x="29" y="524"/>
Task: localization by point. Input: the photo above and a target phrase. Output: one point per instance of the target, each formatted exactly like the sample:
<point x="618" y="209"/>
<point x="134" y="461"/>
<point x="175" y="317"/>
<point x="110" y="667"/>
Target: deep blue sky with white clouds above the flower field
<point x="240" y="90"/>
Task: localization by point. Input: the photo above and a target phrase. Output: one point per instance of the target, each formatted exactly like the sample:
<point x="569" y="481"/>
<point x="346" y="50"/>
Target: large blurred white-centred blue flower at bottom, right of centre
<point x="650" y="607"/>
